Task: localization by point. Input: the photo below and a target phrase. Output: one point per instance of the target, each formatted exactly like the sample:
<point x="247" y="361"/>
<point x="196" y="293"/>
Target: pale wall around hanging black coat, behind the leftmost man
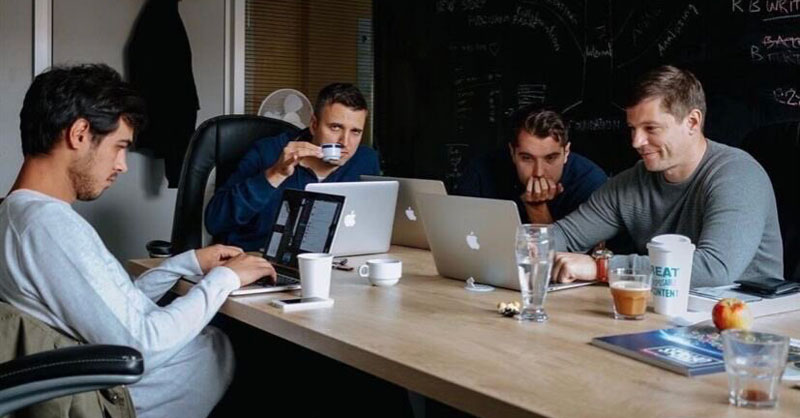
<point x="138" y="207"/>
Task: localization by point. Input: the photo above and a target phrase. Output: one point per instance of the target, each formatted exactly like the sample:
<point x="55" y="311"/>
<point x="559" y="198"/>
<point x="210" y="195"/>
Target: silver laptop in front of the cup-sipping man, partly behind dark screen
<point x="367" y="218"/>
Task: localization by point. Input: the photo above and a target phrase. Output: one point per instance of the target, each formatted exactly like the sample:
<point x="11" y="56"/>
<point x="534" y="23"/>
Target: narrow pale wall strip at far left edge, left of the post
<point x="16" y="66"/>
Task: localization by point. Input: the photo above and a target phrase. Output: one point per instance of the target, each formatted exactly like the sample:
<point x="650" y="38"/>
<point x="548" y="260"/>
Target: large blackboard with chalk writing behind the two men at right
<point x="450" y="72"/>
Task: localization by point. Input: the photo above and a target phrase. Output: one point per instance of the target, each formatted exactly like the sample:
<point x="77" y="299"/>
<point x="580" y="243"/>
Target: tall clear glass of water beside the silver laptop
<point x="535" y="252"/>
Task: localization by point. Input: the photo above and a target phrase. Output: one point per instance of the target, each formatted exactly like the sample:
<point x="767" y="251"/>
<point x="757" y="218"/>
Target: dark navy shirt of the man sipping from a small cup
<point x="242" y="211"/>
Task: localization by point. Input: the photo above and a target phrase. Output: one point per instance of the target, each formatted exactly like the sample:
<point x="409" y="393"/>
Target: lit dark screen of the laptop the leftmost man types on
<point x="305" y="223"/>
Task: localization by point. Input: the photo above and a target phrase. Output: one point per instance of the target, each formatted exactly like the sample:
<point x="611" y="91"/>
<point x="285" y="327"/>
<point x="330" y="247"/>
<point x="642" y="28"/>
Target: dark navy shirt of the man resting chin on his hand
<point x="494" y="176"/>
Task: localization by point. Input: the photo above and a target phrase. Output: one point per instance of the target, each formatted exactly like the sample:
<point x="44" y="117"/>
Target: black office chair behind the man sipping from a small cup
<point x="219" y="143"/>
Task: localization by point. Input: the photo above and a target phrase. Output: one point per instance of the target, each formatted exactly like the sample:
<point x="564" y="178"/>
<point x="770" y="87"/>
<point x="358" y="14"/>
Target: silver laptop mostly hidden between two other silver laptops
<point x="408" y="229"/>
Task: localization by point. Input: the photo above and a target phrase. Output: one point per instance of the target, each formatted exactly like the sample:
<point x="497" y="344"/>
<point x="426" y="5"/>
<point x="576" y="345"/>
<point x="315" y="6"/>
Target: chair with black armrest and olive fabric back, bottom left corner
<point x="38" y="363"/>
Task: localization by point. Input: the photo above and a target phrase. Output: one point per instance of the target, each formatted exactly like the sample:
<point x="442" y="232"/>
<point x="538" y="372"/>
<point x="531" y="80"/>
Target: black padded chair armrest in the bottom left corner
<point x="51" y="374"/>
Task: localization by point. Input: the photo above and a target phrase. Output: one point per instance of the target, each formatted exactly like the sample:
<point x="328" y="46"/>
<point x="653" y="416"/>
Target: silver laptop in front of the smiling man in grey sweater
<point x="475" y="237"/>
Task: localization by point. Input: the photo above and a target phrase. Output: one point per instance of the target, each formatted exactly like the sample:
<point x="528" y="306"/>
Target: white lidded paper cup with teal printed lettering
<point x="671" y="267"/>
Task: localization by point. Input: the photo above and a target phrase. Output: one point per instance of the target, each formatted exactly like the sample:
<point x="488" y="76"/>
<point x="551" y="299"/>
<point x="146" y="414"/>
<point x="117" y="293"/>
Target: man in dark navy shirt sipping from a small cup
<point x="242" y="210"/>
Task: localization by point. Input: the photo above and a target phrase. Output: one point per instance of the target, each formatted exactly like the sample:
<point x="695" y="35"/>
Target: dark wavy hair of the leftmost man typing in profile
<point x="61" y="95"/>
